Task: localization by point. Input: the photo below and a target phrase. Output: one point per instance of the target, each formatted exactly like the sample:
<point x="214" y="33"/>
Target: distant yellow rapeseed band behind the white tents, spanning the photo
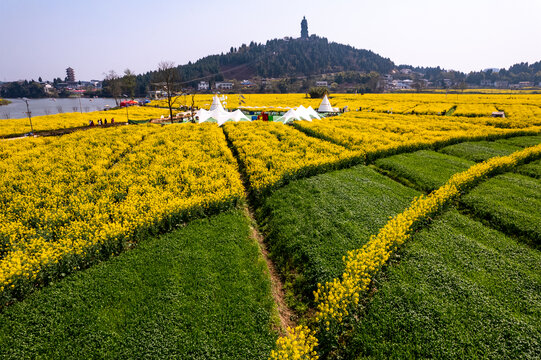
<point x="518" y="107"/>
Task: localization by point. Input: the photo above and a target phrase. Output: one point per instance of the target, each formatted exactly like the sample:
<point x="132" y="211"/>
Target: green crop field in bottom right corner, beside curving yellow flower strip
<point x="459" y="290"/>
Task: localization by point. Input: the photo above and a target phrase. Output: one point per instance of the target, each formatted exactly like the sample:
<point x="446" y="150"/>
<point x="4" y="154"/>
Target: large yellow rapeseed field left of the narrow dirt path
<point x="69" y="200"/>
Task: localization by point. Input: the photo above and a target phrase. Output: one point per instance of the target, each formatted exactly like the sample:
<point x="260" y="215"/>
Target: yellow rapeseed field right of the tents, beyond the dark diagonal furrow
<point x="385" y="134"/>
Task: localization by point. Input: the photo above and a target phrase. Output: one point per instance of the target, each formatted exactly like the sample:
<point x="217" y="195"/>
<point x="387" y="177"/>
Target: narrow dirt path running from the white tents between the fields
<point x="277" y="288"/>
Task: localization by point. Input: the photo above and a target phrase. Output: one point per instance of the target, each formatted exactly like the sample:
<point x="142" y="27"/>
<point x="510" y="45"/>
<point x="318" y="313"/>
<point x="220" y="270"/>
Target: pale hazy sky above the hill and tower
<point x="44" y="37"/>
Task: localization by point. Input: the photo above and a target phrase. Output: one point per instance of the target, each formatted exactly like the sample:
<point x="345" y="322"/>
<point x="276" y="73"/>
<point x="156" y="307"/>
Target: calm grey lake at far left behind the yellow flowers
<point x="48" y="106"/>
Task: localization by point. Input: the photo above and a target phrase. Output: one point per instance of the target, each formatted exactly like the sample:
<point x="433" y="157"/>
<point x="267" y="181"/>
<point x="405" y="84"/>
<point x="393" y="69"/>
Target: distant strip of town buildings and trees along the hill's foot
<point x="402" y="80"/>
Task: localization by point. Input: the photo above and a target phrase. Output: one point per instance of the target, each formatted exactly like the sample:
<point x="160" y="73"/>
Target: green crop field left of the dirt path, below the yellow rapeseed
<point x="201" y="292"/>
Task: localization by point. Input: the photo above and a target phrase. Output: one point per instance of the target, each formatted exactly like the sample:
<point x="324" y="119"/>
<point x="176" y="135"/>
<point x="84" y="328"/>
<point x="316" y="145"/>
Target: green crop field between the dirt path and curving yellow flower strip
<point x="312" y="223"/>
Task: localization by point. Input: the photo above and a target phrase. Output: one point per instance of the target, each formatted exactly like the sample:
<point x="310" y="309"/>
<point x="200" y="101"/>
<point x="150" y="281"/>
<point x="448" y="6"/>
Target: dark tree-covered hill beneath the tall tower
<point x="281" y="58"/>
